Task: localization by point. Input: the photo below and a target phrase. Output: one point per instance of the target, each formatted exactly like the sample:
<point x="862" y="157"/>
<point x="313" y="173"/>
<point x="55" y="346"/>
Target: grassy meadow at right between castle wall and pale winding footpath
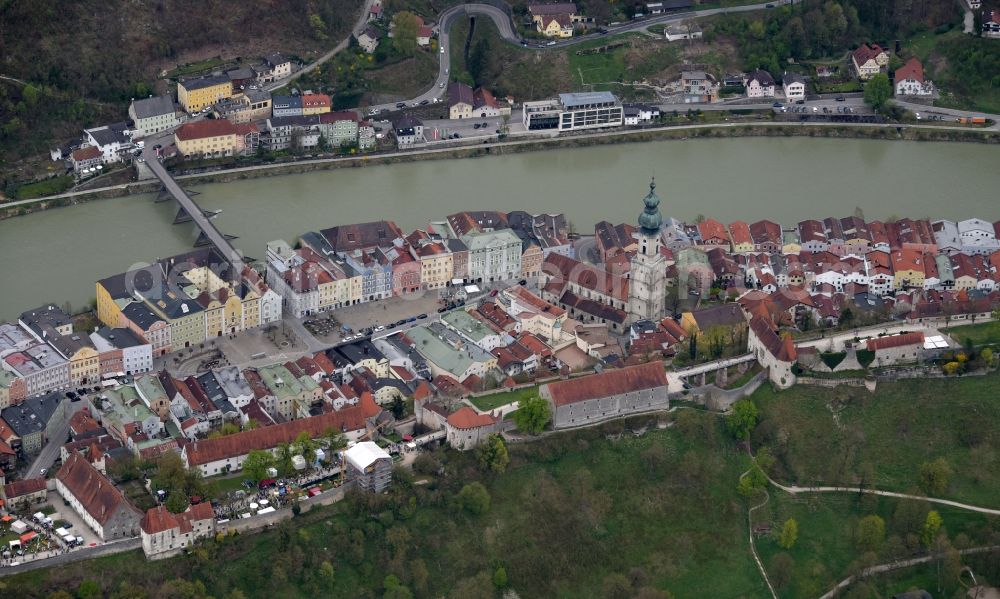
<point x="835" y="436"/>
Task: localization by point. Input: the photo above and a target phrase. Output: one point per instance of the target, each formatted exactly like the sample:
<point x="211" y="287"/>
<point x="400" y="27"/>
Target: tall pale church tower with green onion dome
<point x="647" y="292"/>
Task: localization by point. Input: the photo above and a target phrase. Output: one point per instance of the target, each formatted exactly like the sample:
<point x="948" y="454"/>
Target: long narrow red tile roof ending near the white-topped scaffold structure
<point x="351" y="418"/>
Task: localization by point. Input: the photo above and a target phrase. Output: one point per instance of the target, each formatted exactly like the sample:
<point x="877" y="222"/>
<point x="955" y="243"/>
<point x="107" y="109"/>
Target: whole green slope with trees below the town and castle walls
<point x="602" y="512"/>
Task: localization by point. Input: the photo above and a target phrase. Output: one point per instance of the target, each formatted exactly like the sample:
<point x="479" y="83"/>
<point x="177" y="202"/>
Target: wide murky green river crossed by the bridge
<point x="57" y="255"/>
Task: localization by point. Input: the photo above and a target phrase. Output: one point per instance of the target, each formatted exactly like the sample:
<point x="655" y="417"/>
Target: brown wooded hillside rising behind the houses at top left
<point x="84" y="60"/>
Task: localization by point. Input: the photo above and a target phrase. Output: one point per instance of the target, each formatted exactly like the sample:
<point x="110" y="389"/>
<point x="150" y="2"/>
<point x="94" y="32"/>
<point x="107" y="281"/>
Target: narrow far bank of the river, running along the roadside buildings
<point x="885" y="132"/>
